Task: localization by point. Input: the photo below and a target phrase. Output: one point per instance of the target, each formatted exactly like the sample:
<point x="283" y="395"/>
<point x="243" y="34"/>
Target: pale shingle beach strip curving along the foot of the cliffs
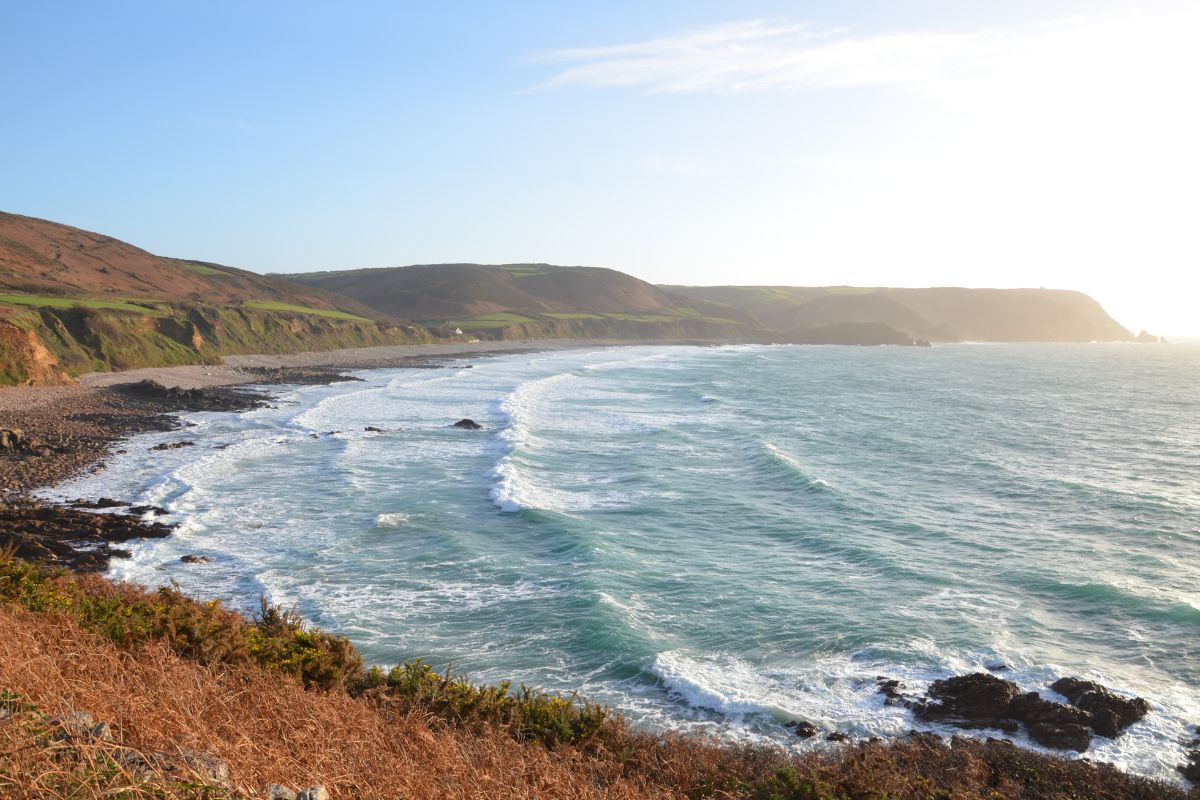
<point x="250" y="369"/>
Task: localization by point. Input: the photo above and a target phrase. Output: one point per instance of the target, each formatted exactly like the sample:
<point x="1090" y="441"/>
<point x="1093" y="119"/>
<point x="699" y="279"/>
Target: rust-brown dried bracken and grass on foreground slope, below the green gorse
<point x="269" y="730"/>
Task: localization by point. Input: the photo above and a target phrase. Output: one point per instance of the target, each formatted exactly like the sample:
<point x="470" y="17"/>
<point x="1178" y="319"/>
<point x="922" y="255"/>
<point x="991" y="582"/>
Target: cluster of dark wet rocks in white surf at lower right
<point x="983" y="701"/>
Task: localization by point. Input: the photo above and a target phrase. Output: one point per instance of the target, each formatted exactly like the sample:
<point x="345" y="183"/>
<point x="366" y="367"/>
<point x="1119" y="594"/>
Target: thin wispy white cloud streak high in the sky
<point x="759" y="55"/>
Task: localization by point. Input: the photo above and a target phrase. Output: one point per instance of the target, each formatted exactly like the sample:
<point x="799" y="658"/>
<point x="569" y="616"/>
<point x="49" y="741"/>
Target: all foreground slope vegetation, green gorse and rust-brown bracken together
<point x="281" y="702"/>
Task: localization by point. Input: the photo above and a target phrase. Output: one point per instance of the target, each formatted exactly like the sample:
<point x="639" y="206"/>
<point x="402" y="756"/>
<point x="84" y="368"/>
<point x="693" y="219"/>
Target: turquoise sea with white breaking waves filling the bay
<point x="724" y="539"/>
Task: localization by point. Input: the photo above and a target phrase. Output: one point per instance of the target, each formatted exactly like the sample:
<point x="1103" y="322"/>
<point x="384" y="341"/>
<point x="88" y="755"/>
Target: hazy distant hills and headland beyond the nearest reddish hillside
<point x="539" y="300"/>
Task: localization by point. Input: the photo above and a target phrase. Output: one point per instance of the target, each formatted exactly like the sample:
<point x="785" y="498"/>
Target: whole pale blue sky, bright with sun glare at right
<point x="1048" y="143"/>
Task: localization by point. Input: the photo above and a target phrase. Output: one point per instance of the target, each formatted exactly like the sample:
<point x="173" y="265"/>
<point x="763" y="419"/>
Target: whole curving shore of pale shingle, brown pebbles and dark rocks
<point x="51" y="435"/>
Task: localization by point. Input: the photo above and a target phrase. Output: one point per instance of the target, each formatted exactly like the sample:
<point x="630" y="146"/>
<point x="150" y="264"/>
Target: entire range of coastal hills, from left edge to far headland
<point x="75" y="302"/>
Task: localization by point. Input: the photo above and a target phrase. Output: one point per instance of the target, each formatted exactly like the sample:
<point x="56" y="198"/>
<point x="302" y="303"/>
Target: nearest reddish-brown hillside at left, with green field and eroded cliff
<point x="74" y="302"/>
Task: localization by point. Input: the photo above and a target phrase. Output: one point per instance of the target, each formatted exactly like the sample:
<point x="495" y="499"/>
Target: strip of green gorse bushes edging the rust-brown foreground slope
<point x="279" y="640"/>
